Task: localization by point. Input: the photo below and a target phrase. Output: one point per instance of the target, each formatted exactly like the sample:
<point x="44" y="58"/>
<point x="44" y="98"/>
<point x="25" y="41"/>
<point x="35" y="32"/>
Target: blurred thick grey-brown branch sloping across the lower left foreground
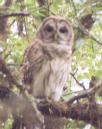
<point x="21" y="109"/>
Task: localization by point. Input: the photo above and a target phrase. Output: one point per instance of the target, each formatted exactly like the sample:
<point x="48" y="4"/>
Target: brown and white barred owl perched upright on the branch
<point x="46" y="61"/>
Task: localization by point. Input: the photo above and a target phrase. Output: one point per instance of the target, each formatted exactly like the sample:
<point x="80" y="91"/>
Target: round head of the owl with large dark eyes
<point x="55" y="29"/>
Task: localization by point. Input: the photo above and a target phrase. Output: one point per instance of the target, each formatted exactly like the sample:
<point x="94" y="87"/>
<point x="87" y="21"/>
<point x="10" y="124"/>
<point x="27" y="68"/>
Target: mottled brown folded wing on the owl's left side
<point x="32" y="59"/>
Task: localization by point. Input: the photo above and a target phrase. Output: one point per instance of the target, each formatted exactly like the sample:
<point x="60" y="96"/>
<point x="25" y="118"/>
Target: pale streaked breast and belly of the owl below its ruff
<point x="51" y="78"/>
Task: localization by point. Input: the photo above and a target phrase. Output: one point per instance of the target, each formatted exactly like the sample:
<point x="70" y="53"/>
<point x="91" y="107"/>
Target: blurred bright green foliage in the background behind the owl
<point x="21" y="29"/>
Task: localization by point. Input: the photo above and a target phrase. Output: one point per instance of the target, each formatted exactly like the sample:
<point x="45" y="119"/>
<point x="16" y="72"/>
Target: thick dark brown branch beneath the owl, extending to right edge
<point x="89" y="114"/>
